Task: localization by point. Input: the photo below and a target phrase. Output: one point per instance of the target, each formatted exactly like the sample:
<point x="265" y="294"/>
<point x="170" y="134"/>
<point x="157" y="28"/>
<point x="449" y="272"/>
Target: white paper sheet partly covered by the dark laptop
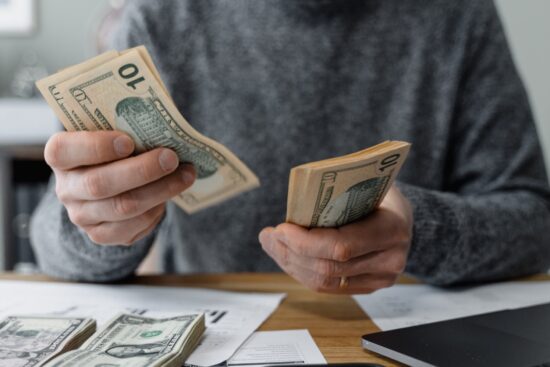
<point x="409" y="305"/>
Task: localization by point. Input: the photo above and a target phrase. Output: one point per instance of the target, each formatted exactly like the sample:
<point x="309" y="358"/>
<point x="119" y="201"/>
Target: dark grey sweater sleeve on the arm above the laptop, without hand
<point x="491" y="220"/>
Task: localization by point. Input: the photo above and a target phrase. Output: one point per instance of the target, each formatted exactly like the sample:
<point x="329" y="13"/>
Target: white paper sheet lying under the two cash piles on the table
<point x="230" y="317"/>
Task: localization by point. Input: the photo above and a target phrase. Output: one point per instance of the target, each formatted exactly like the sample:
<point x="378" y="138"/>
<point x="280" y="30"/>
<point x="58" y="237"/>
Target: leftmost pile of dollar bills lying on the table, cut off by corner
<point x="31" y="341"/>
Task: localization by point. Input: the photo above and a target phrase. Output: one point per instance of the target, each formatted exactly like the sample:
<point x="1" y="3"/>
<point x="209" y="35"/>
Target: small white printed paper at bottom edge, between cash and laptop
<point x="266" y="348"/>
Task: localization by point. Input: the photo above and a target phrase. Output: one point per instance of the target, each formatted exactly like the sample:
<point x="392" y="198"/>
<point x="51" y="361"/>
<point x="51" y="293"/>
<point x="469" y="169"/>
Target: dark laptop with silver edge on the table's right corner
<point x="510" y="338"/>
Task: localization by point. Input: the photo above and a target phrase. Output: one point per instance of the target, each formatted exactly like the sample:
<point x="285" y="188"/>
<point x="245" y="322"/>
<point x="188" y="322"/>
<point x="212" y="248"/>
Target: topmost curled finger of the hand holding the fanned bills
<point x="68" y="150"/>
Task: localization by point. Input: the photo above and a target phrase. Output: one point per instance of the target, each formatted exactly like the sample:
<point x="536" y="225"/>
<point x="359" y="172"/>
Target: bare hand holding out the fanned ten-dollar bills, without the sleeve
<point x="114" y="198"/>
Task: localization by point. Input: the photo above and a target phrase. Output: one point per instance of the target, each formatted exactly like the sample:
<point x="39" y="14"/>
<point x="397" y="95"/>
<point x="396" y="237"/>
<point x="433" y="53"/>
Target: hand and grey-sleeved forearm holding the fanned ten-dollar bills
<point x="101" y="224"/>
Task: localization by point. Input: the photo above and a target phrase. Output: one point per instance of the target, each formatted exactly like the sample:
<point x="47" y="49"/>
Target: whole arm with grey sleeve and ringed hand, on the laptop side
<point x="490" y="220"/>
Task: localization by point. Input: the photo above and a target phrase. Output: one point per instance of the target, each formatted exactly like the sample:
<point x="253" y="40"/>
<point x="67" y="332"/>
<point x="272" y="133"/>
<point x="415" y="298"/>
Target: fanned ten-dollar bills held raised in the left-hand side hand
<point x="124" y="91"/>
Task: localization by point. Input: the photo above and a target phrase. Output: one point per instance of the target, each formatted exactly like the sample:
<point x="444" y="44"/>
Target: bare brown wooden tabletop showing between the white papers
<point x="335" y="321"/>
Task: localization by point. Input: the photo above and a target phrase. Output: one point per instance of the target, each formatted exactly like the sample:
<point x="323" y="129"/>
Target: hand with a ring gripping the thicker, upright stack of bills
<point x="371" y="252"/>
